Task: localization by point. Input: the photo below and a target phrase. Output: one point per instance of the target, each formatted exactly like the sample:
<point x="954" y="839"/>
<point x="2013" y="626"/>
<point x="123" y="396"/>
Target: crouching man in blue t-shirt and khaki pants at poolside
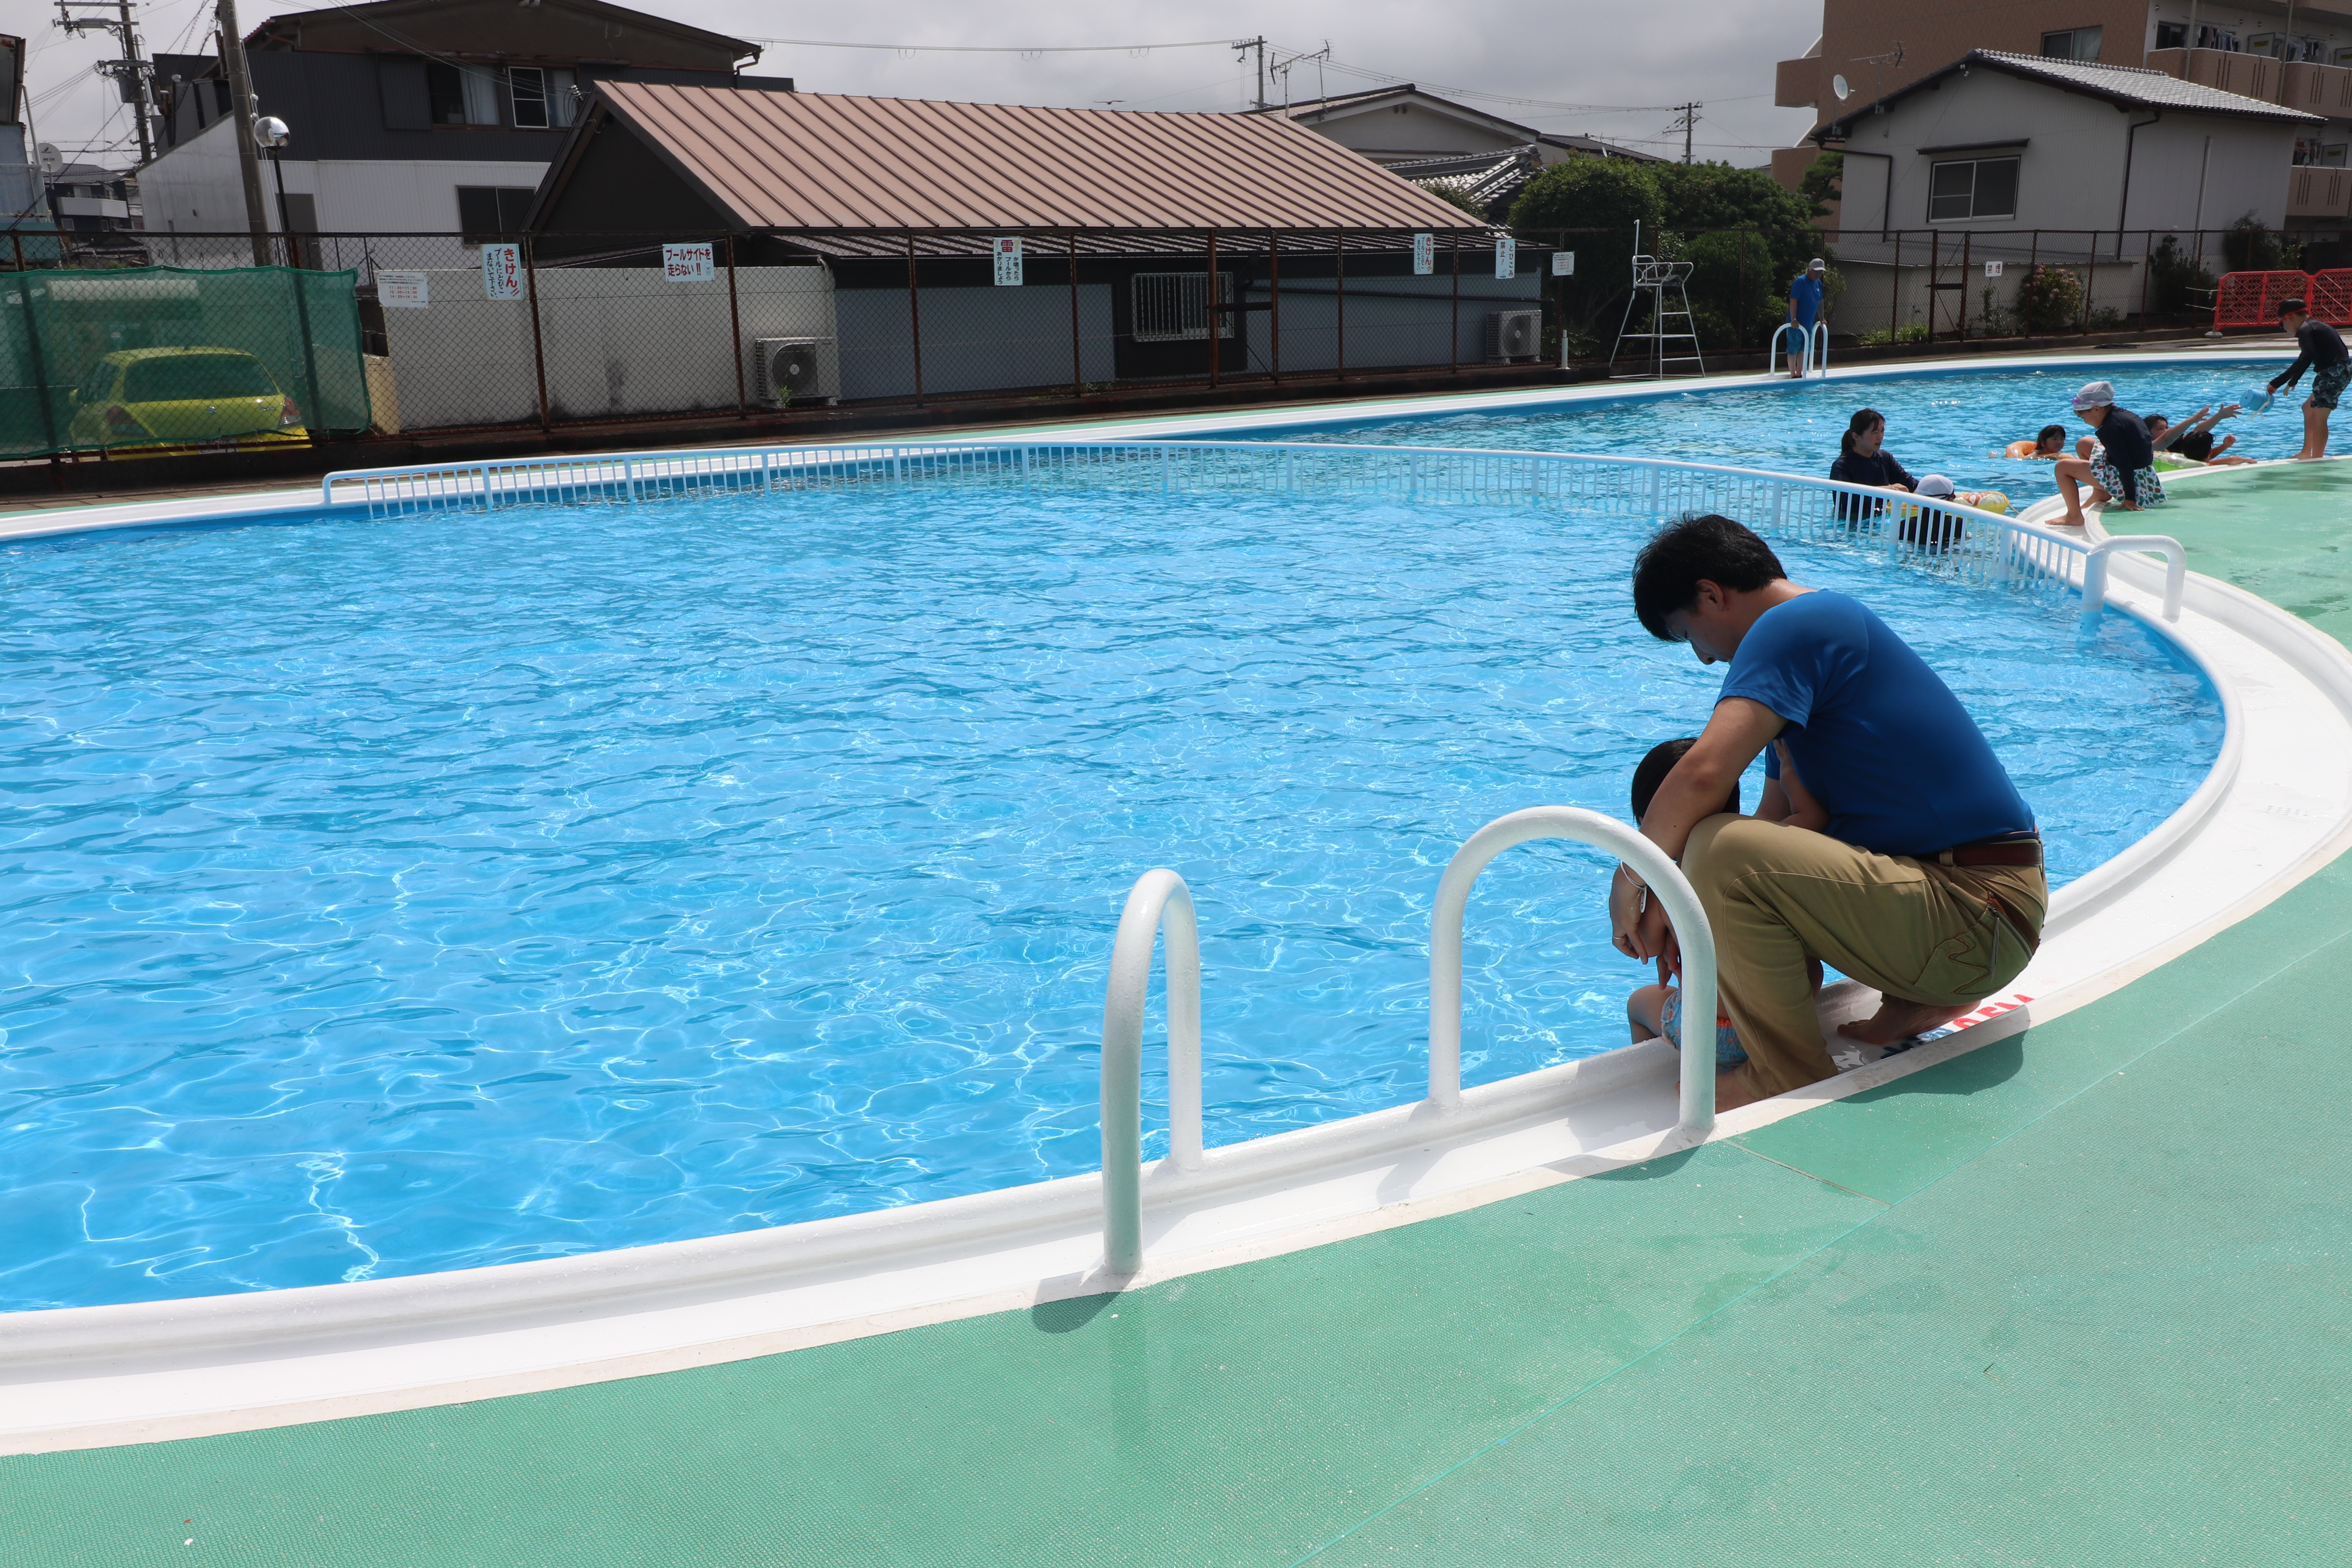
<point x="1927" y="878"/>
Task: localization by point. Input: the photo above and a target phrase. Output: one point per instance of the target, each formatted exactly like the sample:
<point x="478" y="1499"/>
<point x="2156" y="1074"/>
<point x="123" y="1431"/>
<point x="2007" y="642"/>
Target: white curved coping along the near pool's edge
<point x="215" y="1365"/>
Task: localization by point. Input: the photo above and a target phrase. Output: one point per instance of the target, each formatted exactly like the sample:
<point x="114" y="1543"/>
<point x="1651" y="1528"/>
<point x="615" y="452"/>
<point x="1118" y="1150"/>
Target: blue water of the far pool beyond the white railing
<point x="1951" y="424"/>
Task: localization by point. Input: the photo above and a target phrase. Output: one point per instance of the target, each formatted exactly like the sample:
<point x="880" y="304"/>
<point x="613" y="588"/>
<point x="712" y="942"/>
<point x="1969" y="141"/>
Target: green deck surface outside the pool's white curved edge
<point x="2080" y="1296"/>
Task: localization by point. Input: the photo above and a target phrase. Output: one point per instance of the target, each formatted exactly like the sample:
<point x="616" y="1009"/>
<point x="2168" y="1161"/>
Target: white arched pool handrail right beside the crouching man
<point x="1664" y="880"/>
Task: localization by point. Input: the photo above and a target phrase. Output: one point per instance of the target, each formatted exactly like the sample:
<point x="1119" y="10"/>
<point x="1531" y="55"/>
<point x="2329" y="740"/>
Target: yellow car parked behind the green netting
<point x="182" y="401"/>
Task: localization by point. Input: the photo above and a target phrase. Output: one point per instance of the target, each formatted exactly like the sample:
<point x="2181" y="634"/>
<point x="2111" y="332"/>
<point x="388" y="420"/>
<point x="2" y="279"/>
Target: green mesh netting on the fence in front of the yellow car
<point x="178" y="359"/>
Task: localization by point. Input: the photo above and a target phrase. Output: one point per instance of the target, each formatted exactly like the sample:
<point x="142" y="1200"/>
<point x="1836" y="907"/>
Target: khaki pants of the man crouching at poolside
<point x="1911" y="930"/>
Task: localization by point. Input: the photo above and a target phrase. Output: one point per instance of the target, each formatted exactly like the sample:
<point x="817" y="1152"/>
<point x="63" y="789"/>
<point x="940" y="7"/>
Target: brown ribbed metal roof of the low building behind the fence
<point x="843" y="163"/>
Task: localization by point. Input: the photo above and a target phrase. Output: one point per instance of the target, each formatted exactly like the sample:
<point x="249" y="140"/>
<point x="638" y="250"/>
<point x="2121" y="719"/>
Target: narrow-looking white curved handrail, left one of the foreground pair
<point x="1158" y="899"/>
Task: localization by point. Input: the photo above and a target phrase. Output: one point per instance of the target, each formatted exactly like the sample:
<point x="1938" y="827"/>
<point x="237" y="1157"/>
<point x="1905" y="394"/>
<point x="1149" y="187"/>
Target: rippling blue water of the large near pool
<point x="396" y="897"/>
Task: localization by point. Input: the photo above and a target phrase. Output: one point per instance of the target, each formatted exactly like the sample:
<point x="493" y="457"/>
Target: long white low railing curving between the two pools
<point x="1939" y="537"/>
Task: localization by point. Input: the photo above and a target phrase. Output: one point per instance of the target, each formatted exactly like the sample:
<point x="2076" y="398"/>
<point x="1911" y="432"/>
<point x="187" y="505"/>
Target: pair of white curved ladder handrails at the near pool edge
<point x="1161" y="902"/>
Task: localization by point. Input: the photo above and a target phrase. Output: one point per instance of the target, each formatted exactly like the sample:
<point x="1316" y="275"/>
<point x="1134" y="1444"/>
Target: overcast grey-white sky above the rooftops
<point x="1575" y="69"/>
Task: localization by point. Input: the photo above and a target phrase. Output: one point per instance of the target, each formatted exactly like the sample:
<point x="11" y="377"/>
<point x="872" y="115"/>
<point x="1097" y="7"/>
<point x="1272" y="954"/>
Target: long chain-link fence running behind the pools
<point x="180" y="342"/>
